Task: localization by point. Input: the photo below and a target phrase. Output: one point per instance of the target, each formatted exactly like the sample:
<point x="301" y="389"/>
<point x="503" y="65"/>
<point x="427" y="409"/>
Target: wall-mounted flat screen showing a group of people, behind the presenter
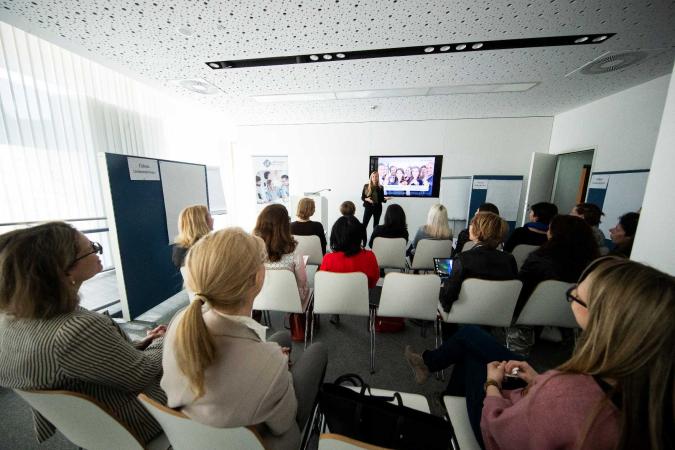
<point x="408" y="176"/>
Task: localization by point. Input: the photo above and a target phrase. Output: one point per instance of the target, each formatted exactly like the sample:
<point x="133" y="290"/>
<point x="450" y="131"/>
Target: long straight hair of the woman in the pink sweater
<point x="630" y="339"/>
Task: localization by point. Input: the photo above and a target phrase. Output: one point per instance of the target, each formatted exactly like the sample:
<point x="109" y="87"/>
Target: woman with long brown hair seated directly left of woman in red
<point x="273" y="228"/>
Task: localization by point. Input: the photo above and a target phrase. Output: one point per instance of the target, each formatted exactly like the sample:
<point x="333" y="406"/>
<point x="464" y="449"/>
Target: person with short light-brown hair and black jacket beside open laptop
<point x="484" y="261"/>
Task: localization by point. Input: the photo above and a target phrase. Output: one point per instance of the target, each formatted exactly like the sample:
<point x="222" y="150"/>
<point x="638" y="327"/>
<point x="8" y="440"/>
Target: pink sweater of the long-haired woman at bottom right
<point x="551" y="415"/>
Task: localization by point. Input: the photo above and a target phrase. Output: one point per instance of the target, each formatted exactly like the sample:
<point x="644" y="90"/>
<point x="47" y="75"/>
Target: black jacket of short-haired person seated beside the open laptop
<point x="479" y="262"/>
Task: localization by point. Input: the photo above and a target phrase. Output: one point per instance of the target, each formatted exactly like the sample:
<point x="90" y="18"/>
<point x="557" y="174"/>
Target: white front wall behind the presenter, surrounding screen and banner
<point x="336" y="156"/>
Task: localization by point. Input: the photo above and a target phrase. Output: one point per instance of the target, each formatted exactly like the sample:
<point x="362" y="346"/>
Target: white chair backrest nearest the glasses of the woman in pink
<point x="547" y="306"/>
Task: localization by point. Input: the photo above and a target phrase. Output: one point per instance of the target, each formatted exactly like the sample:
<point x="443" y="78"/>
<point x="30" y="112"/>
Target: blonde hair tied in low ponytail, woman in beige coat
<point x="221" y="270"/>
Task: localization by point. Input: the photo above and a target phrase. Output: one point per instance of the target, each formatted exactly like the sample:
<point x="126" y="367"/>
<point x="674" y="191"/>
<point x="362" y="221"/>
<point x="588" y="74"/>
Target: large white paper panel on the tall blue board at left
<point x="183" y="185"/>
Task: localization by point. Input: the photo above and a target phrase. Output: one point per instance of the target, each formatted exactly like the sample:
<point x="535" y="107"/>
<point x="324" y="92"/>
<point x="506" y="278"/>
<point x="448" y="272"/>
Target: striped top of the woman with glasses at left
<point x="84" y="352"/>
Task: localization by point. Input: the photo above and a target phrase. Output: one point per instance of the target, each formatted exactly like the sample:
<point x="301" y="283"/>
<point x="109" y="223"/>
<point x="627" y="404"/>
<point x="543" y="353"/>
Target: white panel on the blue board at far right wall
<point x="625" y="192"/>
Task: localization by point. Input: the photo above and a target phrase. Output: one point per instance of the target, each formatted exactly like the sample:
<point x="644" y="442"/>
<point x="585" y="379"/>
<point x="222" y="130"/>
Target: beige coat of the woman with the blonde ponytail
<point x="248" y="384"/>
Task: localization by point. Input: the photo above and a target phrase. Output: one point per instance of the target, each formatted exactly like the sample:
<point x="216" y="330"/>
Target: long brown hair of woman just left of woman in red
<point x="274" y="228"/>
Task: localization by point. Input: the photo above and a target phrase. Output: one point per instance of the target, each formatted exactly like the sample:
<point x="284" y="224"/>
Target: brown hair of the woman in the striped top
<point x="34" y="264"/>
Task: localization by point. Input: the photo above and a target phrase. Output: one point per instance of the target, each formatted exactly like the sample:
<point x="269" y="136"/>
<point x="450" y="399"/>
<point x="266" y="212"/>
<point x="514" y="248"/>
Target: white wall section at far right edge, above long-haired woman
<point x="655" y="240"/>
